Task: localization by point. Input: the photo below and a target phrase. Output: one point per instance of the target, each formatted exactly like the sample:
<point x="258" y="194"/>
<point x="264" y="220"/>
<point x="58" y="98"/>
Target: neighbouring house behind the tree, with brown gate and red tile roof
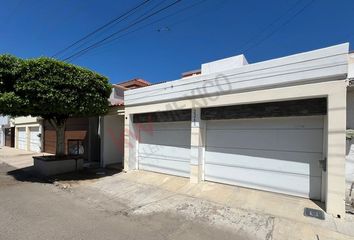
<point x="97" y="139"/>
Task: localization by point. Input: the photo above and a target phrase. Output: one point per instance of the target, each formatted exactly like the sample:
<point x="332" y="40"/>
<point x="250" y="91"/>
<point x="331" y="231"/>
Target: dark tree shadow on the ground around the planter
<point x="28" y="174"/>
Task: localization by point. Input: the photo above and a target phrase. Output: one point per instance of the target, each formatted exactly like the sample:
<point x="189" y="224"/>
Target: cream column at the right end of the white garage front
<point x="335" y="194"/>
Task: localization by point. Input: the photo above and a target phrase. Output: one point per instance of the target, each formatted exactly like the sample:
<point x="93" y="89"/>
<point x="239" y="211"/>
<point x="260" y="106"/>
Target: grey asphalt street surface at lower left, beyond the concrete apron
<point x="31" y="210"/>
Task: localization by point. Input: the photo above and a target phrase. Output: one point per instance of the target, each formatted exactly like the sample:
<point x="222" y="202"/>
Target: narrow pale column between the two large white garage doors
<point x="197" y="146"/>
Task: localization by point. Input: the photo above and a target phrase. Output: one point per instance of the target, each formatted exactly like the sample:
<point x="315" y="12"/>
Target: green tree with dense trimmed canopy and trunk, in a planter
<point x="53" y="90"/>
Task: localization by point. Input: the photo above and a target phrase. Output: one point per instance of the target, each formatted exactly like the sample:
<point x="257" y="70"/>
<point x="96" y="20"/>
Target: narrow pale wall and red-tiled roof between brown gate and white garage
<point x="112" y="124"/>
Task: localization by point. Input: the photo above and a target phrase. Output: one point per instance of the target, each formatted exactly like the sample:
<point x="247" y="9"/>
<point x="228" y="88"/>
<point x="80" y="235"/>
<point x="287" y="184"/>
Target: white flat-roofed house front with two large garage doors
<point x="277" y="125"/>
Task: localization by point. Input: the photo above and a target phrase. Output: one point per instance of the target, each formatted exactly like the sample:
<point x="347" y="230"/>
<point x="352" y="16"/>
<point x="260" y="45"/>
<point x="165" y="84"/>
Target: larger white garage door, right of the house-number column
<point x="273" y="154"/>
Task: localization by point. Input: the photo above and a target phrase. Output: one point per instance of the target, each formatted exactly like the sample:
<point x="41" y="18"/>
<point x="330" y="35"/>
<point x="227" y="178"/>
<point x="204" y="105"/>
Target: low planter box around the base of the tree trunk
<point x="49" y="165"/>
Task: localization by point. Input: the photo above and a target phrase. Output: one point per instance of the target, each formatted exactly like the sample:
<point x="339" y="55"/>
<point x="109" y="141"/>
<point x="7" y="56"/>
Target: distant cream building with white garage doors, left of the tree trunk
<point x="28" y="133"/>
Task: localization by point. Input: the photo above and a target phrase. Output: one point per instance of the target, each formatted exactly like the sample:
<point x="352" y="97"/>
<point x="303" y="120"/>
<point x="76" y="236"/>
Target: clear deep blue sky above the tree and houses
<point x="211" y="30"/>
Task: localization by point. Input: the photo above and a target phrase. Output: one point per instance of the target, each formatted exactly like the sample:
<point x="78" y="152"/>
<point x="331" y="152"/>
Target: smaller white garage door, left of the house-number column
<point x="165" y="148"/>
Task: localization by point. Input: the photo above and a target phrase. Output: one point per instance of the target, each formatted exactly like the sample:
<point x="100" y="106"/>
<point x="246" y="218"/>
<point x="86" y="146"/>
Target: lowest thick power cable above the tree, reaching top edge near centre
<point x="95" y="45"/>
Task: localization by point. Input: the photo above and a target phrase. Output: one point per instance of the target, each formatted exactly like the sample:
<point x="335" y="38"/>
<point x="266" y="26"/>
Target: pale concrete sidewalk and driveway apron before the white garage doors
<point x="145" y="193"/>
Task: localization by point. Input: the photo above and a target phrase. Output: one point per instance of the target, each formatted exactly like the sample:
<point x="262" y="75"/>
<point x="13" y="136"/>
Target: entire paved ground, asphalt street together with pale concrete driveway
<point x="140" y="205"/>
